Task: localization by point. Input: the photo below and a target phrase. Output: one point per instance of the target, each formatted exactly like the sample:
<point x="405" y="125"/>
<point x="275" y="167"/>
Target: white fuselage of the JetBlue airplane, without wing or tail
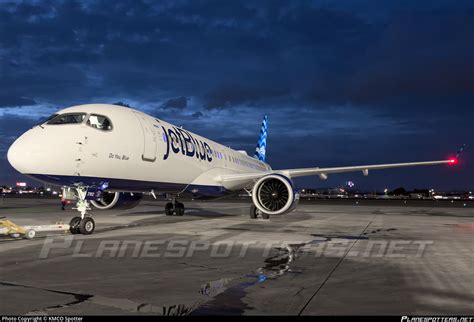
<point x="140" y="153"/>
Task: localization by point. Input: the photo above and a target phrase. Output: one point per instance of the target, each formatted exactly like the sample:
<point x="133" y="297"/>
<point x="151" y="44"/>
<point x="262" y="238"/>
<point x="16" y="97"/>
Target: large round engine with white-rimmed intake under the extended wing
<point x="274" y="194"/>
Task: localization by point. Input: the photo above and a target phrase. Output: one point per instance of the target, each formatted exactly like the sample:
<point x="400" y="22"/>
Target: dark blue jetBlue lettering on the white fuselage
<point x="181" y="141"/>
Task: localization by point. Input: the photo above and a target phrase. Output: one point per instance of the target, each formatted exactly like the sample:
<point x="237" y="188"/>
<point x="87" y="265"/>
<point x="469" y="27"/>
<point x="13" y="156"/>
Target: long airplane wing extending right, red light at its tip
<point x="231" y="181"/>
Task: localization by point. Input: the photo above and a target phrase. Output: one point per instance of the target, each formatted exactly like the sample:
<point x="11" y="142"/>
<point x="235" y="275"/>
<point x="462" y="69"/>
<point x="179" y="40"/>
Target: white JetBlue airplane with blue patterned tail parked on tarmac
<point x="109" y="156"/>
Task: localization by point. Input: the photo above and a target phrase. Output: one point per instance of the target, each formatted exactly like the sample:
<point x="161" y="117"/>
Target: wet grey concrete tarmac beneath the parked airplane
<point x="327" y="257"/>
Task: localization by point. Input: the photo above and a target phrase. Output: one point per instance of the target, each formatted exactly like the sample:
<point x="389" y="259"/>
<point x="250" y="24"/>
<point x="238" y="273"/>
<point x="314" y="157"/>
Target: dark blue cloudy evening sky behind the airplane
<point x="343" y="82"/>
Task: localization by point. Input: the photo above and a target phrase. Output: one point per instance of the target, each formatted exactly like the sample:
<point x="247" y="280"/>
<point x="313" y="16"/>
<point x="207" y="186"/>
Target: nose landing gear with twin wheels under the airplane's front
<point x="83" y="224"/>
